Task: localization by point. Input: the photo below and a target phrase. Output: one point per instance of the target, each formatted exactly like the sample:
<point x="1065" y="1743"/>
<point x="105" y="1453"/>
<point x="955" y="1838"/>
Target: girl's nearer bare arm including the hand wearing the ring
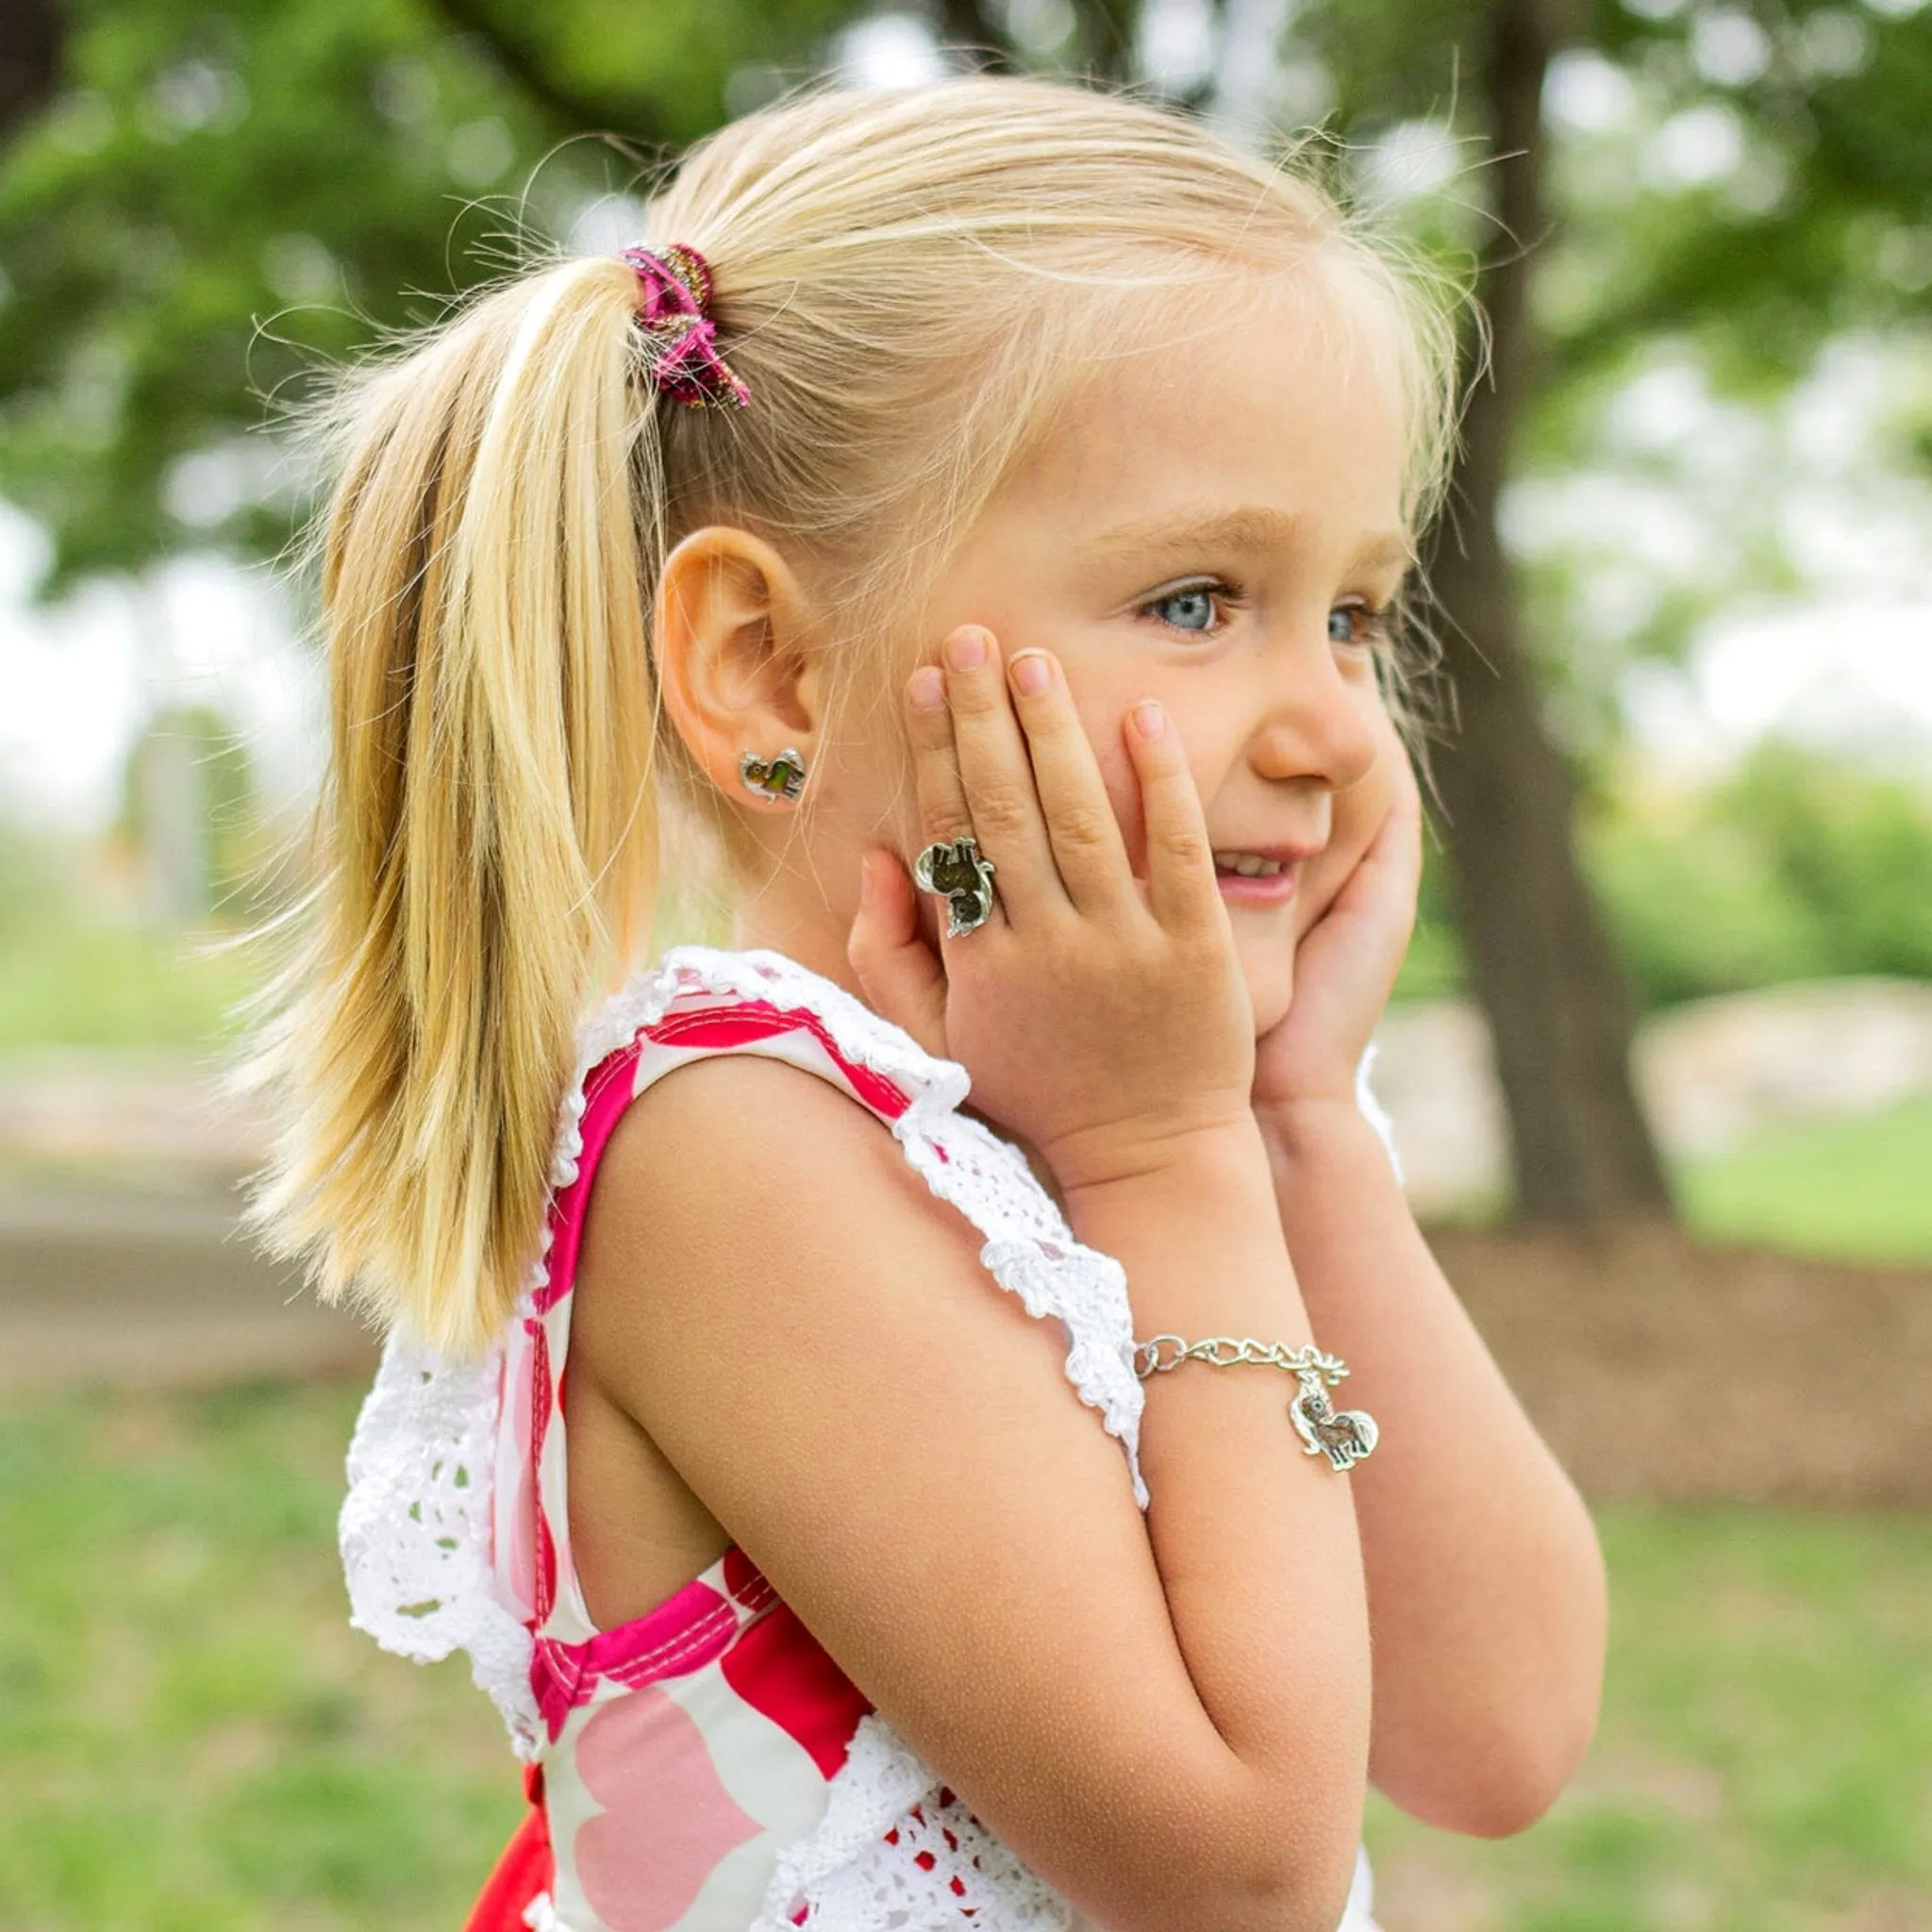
<point x="1166" y="1717"/>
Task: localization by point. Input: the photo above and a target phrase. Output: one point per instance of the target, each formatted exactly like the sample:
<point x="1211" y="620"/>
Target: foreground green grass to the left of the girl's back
<point x="194" y="1738"/>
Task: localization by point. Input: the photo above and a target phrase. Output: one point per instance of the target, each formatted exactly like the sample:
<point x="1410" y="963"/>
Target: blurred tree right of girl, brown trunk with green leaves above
<point x="1761" y="186"/>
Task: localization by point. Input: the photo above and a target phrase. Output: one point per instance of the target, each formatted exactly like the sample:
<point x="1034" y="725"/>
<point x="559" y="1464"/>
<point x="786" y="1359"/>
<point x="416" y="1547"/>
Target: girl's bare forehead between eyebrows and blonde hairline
<point x="1280" y="399"/>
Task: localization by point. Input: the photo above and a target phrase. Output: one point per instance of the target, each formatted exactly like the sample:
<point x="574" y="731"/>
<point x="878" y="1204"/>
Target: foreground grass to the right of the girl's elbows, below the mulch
<point x="1765" y="1761"/>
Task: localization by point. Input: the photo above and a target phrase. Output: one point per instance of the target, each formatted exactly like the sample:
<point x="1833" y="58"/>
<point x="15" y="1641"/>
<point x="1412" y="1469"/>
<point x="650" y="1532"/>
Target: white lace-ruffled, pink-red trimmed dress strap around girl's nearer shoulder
<point x="447" y="1458"/>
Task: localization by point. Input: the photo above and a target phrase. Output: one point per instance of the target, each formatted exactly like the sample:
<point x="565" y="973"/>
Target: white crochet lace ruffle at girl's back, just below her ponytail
<point x="416" y="1525"/>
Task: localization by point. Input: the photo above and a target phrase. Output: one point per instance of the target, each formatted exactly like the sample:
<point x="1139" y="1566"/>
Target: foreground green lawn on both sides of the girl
<point x="196" y="1742"/>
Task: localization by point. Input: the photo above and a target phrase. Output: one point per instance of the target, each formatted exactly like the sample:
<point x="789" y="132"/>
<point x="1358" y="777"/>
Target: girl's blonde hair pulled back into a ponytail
<point x="911" y="285"/>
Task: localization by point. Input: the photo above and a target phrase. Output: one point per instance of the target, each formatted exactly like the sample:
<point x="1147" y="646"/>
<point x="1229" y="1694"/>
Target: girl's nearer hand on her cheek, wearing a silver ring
<point x="1100" y="1019"/>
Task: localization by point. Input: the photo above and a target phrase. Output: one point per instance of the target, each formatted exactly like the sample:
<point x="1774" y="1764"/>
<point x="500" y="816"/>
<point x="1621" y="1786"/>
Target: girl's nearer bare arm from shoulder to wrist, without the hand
<point x="1166" y="1719"/>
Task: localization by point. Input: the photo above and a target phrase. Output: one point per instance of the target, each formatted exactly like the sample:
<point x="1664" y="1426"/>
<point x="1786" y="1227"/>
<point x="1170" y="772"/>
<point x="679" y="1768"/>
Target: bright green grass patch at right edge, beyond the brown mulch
<point x="1858" y="1191"/>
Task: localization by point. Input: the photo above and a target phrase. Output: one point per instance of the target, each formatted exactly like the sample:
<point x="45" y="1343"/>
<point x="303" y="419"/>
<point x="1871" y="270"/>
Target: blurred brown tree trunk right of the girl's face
<point x="1539" y="955"/>
